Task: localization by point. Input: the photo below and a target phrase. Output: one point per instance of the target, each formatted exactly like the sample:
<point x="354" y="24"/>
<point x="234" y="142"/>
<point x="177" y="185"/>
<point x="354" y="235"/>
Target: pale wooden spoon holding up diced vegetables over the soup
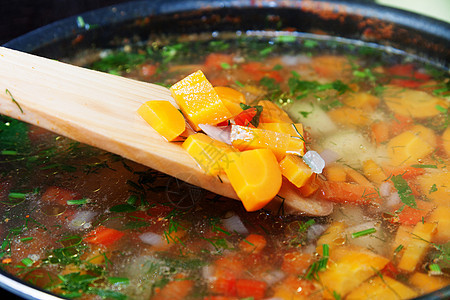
<point x="99" y="109"/>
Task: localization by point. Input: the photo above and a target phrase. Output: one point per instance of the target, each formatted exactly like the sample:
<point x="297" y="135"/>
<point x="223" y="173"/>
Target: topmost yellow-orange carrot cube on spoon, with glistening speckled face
<point x="199" y="101"/>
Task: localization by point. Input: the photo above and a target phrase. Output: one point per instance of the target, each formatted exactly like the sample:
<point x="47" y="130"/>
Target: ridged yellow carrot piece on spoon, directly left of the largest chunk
<point x="210" y="154"/>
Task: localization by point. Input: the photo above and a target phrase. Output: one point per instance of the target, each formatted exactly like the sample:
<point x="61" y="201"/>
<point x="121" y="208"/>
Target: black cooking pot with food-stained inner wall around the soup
<point x="426" y="38"/>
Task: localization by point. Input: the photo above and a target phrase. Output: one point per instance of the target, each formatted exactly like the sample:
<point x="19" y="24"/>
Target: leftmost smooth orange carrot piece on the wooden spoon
<point x="164" y="118"/>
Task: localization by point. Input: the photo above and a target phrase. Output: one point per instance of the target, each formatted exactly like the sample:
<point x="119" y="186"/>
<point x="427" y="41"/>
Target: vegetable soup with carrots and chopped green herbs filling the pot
<point x="83" y="223"/>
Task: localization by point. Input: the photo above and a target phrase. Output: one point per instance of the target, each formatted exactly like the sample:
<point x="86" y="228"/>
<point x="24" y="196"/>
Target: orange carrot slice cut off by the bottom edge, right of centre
<point x="384" y="288"/>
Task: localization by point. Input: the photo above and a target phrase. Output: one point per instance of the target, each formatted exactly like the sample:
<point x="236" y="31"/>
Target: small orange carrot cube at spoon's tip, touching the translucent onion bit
<point x="295" y="170"/>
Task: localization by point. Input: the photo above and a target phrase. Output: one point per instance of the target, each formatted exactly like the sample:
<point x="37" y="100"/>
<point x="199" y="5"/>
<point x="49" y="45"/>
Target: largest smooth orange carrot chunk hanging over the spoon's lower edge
<point x="255" y="176"/>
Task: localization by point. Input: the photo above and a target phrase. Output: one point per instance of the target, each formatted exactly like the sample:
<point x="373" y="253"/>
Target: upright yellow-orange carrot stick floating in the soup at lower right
<point x="417" y="246"/>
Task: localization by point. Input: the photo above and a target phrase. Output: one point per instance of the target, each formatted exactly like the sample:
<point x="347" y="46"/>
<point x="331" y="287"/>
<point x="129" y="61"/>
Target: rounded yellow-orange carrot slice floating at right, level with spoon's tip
<point x="407" y="148"/>
